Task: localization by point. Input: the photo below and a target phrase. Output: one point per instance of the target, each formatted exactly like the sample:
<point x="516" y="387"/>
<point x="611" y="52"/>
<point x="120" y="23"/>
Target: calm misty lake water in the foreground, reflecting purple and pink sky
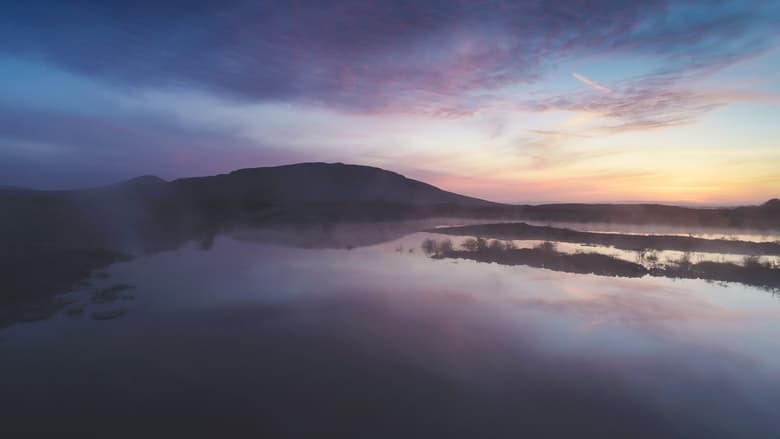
<point x="261" y="337"/>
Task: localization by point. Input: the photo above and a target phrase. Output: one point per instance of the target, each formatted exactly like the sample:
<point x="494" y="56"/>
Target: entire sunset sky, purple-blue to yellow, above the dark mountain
<point x="513" y="101"/>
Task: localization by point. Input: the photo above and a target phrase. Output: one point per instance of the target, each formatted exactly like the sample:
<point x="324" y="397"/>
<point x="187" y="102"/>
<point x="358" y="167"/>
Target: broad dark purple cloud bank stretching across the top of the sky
<point x="434" y="57"/>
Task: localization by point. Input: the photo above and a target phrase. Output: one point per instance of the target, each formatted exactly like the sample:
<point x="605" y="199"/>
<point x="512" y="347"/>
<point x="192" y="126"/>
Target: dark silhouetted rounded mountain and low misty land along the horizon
<point x="312" y="191"/>
